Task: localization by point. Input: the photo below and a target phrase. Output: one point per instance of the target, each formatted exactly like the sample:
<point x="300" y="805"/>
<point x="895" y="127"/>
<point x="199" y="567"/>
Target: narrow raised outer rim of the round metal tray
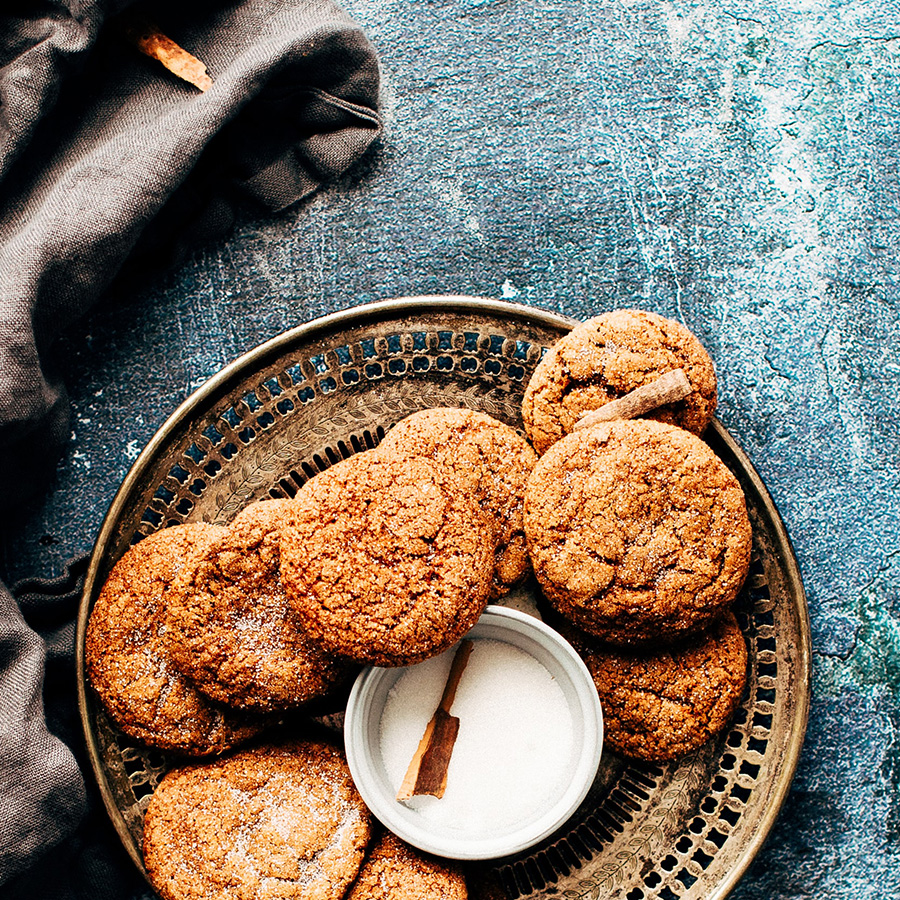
<point x="218" y="383"/>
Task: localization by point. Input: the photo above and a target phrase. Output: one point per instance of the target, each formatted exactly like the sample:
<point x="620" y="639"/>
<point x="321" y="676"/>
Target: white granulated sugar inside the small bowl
<point x="514" y="749"/>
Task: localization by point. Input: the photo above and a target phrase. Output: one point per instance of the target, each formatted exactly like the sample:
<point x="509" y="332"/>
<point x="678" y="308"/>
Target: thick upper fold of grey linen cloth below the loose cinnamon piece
<point x="132" y="161"/>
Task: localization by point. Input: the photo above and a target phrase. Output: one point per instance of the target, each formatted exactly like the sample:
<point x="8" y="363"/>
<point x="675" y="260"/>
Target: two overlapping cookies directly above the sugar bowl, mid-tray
<point x="390" y="557"/>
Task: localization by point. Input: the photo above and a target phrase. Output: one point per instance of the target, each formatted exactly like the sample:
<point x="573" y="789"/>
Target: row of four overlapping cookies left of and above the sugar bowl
<point x="202" y="633"/>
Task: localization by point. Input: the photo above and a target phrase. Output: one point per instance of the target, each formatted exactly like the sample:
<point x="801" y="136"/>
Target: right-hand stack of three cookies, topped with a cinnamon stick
<point x="638" y="533"/>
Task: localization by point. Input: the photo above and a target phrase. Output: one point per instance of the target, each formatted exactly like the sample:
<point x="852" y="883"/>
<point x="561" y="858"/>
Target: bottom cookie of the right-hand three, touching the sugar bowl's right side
<point x="662" y="704"/>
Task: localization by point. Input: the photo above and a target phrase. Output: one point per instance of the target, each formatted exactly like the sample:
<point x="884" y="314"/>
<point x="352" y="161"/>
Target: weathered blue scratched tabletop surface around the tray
<point x="732" y="166"/>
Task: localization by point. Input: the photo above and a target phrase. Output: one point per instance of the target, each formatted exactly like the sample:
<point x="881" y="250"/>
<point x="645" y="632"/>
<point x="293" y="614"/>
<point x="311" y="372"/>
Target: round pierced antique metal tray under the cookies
<point x="316" y="394"/>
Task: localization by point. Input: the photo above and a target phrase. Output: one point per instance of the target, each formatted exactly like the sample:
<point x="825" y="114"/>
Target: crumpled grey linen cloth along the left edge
<point x="110" y="166"/>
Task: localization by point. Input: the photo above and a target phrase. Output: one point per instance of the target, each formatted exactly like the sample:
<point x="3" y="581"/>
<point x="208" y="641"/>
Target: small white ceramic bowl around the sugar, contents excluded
<point x="362" y="734"/>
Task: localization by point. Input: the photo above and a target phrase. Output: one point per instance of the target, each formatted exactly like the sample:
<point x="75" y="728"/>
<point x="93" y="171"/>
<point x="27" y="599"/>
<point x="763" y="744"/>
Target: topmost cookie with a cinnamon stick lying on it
<point x="606" y="357"/>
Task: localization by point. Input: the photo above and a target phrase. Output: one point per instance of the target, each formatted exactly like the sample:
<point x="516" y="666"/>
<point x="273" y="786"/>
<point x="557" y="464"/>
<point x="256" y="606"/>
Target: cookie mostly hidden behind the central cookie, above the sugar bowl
<point x="492" y="462"/>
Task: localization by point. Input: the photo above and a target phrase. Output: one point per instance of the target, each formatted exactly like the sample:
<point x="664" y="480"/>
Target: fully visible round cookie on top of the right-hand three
<point x="637" y="532"/>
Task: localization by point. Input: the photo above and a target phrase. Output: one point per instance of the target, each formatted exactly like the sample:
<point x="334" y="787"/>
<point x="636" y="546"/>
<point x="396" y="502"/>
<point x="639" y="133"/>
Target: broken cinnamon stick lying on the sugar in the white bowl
<point x="427" y="772"/>
